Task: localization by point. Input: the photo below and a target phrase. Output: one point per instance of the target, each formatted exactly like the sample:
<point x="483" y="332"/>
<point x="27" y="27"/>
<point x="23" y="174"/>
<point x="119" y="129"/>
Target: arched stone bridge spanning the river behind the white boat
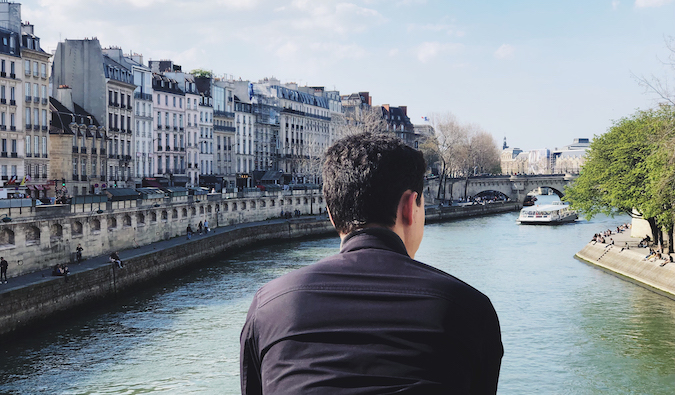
<point x="515" y="187"/>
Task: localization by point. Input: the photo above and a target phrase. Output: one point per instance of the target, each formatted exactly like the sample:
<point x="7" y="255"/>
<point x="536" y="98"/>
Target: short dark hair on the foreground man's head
<point x="365" y="177"/>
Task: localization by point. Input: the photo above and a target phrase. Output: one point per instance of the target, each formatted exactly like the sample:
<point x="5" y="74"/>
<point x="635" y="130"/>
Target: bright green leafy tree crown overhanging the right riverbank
<point x="624" y="168"/>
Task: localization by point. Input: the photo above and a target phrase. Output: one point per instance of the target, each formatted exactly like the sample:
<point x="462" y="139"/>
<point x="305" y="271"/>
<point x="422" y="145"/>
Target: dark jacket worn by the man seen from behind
<point x="370" y="320"/>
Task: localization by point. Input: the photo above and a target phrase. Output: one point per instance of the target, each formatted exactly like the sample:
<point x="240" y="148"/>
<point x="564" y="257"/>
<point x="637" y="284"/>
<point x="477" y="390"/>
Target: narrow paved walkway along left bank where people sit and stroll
<point x="95" y="262"/>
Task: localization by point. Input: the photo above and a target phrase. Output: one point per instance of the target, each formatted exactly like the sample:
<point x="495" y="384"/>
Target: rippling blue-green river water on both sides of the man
<point x="567" y="327"/>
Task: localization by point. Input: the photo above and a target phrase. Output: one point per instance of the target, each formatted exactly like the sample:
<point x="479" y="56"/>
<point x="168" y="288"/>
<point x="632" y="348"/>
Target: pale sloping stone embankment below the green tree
<point x="630" y="265"/>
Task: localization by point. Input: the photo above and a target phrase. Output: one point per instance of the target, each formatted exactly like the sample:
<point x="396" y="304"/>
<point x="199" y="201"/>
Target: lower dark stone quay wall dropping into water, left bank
<point x="29" y="305"/>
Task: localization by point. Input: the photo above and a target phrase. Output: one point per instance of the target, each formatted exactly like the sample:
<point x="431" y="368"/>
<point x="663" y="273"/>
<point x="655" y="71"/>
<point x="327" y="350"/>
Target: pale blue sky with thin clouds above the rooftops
<point x="539" y="73"/>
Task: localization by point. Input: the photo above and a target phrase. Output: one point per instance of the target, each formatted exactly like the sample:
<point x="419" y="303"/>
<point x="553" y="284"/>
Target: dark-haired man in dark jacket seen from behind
<point x="371" y="319"/>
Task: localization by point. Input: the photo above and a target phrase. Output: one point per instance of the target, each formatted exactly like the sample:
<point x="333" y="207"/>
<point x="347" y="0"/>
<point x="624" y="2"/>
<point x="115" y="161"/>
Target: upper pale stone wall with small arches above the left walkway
<point x="41" y="236"/>
